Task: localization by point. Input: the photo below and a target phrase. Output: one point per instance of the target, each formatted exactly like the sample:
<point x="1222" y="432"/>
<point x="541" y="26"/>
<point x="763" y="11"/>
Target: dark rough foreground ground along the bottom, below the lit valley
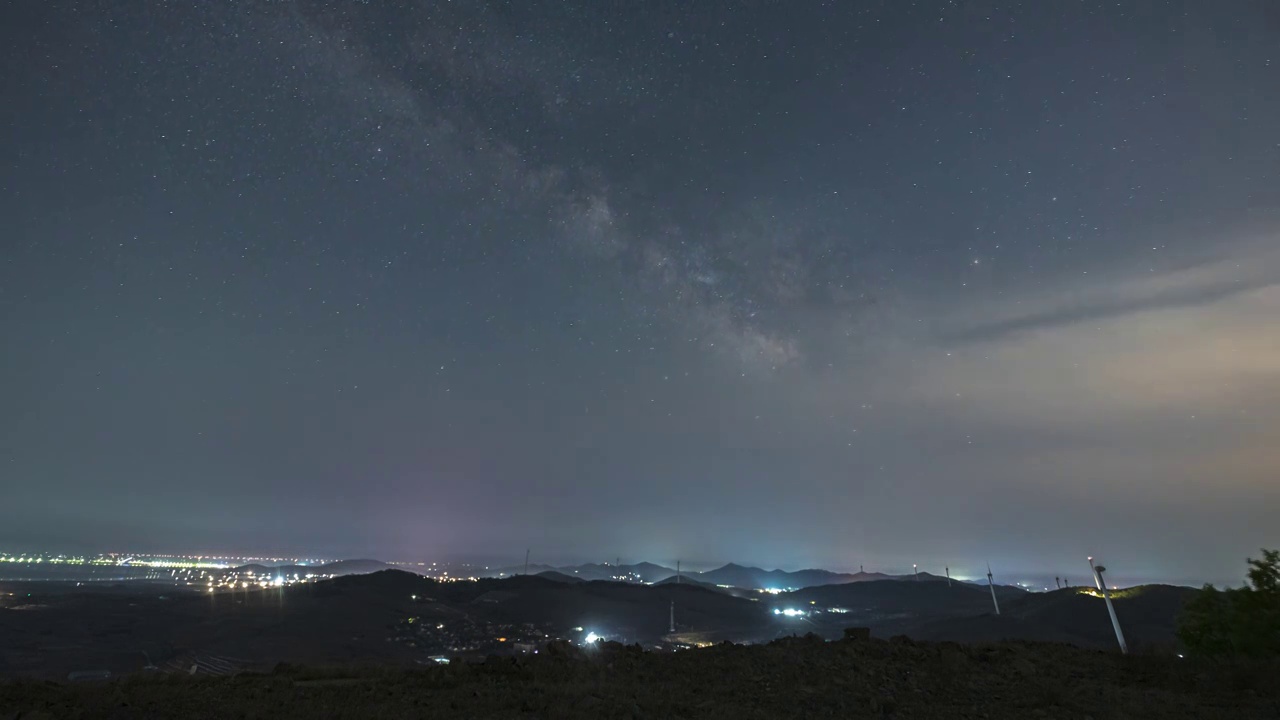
<point x="790" y="678"/>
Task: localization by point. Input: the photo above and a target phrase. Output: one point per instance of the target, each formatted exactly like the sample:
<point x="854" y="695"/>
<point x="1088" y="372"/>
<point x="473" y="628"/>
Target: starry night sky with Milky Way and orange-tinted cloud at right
<point x="788" y="284"/>
